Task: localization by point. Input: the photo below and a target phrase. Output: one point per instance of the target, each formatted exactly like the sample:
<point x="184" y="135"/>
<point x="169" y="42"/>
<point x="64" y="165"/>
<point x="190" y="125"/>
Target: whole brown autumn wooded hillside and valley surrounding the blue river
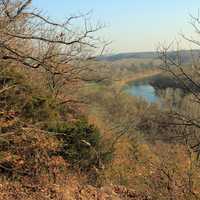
<point x="68" y="129"/>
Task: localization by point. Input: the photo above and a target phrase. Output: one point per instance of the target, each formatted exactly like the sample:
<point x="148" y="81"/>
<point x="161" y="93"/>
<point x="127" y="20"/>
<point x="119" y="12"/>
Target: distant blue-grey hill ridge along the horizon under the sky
<point x="186" y="55"/>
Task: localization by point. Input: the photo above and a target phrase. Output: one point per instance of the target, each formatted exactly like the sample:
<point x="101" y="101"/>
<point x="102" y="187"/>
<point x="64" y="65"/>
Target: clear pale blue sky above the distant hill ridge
<point x="131" y="25"/>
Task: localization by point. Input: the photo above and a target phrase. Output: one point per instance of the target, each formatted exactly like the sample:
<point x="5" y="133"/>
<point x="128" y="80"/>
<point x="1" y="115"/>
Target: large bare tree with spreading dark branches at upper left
<point x="32" y="40"/>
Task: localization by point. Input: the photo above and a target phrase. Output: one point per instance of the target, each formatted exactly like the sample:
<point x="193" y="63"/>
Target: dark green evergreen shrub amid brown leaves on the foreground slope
<point x="81" y="144"/>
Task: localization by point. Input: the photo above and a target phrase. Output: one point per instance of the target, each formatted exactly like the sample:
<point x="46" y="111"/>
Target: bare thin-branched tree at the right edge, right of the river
<point x="189" y="78"/>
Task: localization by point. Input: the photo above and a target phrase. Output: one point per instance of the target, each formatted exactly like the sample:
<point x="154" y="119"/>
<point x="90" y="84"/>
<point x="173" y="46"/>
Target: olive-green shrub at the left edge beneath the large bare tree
<point x="33" y="103"/>
